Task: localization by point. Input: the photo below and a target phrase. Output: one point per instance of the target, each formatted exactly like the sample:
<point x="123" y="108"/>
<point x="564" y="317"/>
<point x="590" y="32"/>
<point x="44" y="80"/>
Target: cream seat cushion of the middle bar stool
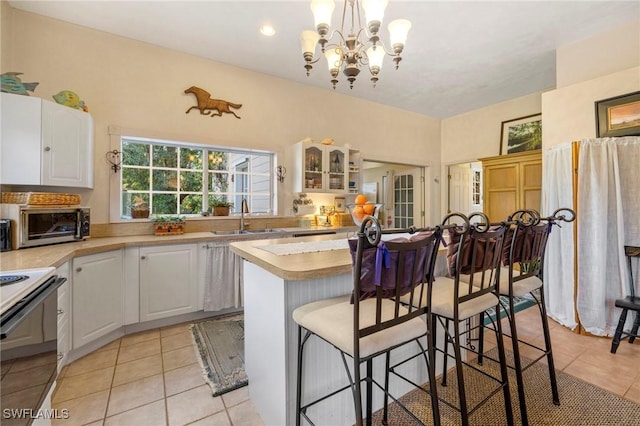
<point x="442" y="300"/>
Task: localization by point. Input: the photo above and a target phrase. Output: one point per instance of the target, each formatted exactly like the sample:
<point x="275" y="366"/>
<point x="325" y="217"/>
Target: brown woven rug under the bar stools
<point x="581" y="404"/>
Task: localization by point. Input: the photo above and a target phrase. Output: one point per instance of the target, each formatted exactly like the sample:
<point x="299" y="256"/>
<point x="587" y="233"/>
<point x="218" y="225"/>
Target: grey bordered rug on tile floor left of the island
<point x="219" y="345"/>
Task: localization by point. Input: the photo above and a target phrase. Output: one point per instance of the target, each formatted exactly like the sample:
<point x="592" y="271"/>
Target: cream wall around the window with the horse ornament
<point x="134" y="85"/>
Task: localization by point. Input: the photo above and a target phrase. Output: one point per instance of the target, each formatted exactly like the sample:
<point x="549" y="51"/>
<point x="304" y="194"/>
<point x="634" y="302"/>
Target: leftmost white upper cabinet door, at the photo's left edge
<point x="20" y="131"/>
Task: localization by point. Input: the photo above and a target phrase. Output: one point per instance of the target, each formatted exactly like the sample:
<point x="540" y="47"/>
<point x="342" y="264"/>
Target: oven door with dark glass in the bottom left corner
<point x="28" y="353"/>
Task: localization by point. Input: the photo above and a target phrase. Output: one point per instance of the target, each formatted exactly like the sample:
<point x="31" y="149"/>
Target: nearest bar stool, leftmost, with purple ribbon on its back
<point x="372" y="321"/>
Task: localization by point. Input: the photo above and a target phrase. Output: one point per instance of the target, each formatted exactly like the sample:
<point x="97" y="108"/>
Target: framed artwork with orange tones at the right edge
<point x="618" y="116"/>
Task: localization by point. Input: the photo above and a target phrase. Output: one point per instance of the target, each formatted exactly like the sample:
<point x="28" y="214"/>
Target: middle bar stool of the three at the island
<point x="476" y="255"/>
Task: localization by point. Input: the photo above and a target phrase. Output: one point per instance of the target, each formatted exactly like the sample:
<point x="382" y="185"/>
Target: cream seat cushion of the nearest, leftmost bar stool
<point x="332" y="320"/>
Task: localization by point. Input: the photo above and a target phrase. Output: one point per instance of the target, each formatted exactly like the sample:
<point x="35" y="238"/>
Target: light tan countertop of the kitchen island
<point x="297" y="266"/>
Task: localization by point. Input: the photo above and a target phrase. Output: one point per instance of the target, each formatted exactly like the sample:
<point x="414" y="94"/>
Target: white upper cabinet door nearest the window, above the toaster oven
<point x="67" y="146"/>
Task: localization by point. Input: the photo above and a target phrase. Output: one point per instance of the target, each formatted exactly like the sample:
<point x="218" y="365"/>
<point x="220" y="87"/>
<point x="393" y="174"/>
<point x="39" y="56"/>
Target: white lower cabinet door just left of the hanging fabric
<point x="168" y="281"/>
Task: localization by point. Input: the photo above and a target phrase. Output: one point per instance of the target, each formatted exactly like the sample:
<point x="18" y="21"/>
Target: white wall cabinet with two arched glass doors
<point x="320" y="168"/>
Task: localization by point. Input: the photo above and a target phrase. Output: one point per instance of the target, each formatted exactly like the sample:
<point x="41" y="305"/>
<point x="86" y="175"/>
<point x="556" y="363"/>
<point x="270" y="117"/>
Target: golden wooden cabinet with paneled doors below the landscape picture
<point x="511" y="182"/>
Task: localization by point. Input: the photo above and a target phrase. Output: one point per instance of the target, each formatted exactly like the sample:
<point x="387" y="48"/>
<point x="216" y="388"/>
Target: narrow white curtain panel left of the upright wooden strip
<point x="557" y="191"/>
